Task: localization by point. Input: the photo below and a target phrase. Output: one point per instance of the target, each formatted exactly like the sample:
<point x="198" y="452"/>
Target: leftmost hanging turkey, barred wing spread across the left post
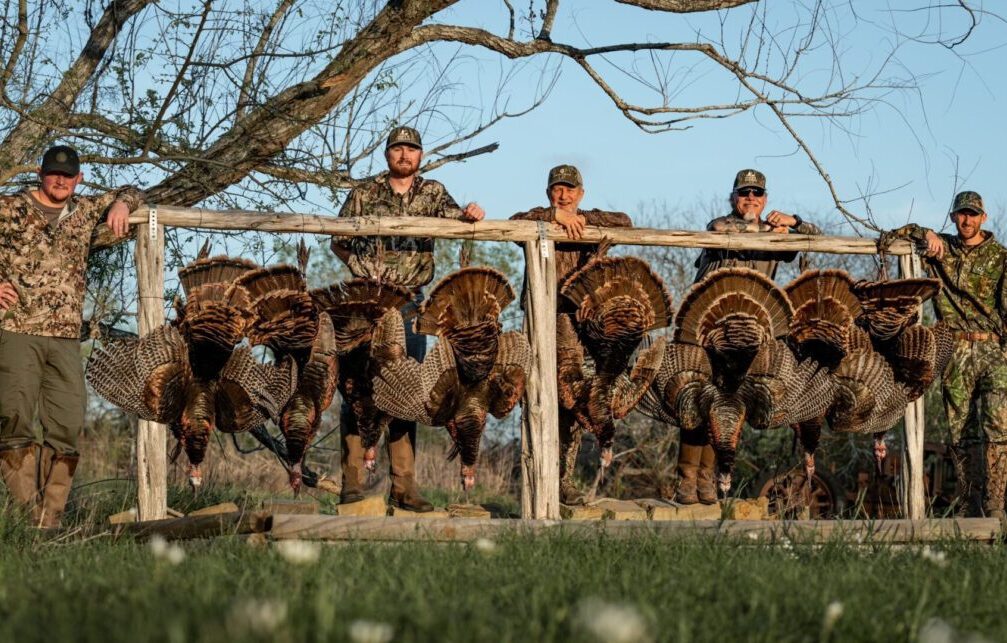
<point x="188" y="375"/>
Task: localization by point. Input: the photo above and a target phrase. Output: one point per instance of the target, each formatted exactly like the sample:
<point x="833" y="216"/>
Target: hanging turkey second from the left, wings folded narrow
<point x="285" y="319"/>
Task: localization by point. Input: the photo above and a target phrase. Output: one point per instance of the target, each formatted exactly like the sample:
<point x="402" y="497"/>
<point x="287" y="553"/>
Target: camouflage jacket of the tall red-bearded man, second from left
<point x="405" y="261"/>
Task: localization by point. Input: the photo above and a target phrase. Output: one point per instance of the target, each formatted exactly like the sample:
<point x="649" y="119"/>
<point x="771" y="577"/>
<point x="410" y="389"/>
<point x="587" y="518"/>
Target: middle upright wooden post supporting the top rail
<point x="540" y="439"/>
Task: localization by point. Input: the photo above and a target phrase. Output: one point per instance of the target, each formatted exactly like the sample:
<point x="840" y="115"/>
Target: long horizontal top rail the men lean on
<point x="501" y="231"/>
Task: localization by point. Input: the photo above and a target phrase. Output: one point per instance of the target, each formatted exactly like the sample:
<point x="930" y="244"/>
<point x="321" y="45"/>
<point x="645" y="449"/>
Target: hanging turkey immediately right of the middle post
<point x="616" y="302"/>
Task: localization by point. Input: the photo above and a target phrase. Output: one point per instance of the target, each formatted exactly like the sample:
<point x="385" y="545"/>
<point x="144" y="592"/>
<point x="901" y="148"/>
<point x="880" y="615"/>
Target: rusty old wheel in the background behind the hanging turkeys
<point x="789" y="496"/>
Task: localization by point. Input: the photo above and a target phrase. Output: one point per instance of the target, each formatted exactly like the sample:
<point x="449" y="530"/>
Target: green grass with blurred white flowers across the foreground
<point x="512" y="590"/>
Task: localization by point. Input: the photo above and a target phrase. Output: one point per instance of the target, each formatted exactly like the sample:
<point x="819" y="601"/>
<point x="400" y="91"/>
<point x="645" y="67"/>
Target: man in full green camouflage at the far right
<point x="973" y="302"/>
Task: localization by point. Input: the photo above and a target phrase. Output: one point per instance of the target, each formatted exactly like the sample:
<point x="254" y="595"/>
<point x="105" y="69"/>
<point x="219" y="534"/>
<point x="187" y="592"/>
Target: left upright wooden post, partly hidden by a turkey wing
<point x="152" y="438"/>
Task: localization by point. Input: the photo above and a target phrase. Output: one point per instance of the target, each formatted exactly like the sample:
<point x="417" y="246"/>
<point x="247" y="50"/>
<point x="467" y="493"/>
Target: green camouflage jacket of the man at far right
<point x="974" y="296"/>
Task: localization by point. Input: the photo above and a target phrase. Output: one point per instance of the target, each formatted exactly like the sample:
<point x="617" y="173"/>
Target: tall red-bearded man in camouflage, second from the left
<point x="404" y="261"/>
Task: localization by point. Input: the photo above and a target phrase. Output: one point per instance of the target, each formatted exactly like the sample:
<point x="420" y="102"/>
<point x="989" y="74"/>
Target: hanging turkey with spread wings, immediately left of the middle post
<point x="474" y="371"/>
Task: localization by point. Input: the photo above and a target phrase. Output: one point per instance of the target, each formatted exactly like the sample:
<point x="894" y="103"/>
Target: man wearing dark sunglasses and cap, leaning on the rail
<point x="749" y="199"/>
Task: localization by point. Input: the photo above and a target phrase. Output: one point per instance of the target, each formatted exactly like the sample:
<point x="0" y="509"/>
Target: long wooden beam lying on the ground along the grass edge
<point x="324" y="528"/>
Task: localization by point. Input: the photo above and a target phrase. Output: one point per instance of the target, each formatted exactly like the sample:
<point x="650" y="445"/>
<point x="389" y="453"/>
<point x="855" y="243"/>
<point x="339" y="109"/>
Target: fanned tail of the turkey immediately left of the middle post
<point x="465" y="298"/>
